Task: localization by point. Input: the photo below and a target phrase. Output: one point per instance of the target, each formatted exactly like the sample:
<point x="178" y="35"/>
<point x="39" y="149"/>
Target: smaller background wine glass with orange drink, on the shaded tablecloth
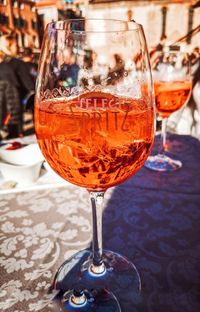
<point x="172" y="84"/>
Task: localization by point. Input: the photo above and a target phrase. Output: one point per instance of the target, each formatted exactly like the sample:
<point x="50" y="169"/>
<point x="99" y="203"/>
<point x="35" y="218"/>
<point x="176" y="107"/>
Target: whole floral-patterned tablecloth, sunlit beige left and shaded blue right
<point x="153" y="219"/>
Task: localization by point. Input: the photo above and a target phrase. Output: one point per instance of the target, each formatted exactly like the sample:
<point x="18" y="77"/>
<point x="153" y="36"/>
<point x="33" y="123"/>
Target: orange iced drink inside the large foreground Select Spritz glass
<point x="95" y="141"/>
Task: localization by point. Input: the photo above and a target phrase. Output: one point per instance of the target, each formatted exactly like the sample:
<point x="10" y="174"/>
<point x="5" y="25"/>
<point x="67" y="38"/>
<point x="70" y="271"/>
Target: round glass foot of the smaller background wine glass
<point x="162" y="163"/>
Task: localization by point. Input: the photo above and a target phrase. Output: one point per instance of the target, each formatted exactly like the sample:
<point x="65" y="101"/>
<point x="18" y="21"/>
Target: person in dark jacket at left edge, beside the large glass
<point x="18" y="83"/>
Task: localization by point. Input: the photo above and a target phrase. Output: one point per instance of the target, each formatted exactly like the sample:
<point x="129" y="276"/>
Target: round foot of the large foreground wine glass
<point x="118" y="276"/>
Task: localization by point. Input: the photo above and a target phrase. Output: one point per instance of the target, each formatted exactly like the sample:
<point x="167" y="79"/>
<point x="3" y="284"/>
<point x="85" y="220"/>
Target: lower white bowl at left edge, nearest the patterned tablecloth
<point x="23" y="174"/>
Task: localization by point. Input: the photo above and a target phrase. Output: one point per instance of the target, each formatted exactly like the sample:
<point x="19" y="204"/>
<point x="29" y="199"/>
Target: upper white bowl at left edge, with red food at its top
<point x="26" y="155"/>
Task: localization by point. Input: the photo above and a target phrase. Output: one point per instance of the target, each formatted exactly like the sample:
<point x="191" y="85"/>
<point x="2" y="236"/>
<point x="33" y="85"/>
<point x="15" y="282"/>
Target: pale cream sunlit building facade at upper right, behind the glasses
<point x="161" y="19"/>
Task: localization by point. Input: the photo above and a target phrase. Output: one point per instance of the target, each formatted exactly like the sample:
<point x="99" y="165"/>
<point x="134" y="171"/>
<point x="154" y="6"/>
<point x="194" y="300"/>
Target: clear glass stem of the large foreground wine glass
<point x="97" y="199"/>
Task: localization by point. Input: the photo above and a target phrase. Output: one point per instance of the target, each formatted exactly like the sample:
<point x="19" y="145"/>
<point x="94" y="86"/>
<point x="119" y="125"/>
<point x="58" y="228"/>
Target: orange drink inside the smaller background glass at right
<point x="171" y="96"/>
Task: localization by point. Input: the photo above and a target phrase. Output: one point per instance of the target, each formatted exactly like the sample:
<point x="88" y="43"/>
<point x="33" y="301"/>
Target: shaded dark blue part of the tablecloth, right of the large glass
<point x="155" y="220"/>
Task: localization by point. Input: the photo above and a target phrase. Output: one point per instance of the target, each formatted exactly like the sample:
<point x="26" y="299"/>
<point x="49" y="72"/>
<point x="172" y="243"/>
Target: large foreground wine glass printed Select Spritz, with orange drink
<point x="94" y="122"/>
